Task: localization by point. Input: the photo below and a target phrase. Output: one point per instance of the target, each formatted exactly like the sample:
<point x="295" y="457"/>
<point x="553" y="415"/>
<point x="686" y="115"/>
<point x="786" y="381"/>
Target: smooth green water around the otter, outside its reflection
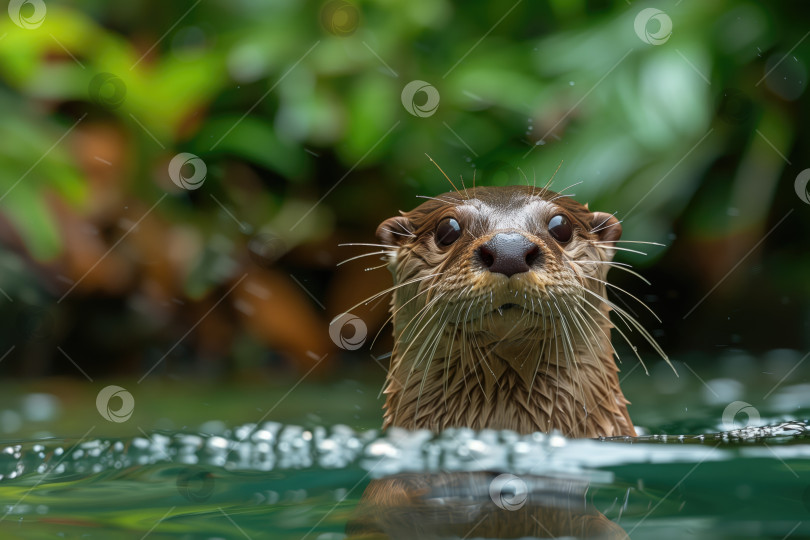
<point x="714" y="488"/>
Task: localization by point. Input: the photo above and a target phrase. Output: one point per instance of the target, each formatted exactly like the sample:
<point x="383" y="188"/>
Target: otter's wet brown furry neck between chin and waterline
<point x="566" y="380"/>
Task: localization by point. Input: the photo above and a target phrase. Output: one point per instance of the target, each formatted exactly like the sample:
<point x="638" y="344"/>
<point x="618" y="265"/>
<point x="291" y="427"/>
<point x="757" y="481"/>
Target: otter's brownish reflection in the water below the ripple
<point x="476" y="505"/>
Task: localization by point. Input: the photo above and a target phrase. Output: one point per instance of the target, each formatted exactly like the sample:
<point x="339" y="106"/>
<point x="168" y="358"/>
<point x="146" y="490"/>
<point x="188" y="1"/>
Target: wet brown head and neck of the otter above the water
<point x="500" y="313"/>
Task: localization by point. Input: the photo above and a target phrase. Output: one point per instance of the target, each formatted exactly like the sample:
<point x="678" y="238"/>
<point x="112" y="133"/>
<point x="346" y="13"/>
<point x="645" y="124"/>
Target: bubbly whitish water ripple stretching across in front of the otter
<point x="272" y="447"/>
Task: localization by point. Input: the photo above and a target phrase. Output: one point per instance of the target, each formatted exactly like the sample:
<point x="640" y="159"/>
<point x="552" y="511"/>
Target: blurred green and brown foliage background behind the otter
<point x="298" y="129"/>
